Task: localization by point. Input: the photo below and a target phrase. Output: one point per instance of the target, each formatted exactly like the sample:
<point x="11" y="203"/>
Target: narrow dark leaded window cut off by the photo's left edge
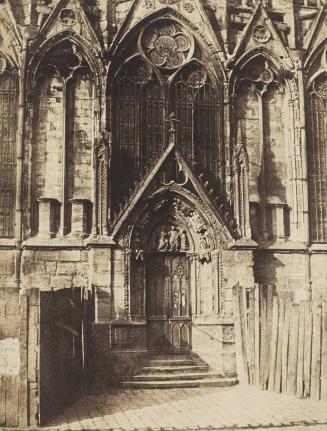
<point x="8" y="128"/>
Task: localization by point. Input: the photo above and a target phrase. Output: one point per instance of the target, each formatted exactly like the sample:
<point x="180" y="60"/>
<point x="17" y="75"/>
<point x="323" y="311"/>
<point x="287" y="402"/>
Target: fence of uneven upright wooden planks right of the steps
<point x="281" y="345"/>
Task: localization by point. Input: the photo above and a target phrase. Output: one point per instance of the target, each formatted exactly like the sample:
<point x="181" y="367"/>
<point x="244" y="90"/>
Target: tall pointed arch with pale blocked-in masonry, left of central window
<point x="64" y="77"/>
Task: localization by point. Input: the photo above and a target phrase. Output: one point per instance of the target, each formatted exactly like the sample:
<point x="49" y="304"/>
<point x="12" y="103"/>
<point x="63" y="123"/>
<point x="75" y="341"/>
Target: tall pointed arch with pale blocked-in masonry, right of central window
<point x="263" y="88"/>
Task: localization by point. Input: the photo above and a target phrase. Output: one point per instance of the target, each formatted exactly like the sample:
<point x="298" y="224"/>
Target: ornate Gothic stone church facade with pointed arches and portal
<point x="157" y="153"/>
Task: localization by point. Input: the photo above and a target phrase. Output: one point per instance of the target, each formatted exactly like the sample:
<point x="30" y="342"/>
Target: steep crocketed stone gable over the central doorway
<point x="170" y="185"/>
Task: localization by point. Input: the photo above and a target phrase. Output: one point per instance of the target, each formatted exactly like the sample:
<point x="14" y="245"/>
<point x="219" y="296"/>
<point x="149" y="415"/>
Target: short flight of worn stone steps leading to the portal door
<point x="176" y="371"/>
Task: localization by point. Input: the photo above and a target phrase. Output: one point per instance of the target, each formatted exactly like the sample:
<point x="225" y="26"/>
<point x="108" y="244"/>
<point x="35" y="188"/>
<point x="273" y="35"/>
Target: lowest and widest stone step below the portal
<point x="213" y="382"/>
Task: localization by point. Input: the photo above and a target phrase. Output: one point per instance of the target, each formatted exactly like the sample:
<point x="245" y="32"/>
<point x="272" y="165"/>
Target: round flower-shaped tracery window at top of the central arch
<point x="166" y="45"/>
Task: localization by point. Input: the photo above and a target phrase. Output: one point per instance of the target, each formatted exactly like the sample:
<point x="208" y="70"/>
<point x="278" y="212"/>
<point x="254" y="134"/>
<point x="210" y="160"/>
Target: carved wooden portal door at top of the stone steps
<point x="168" y="303"/>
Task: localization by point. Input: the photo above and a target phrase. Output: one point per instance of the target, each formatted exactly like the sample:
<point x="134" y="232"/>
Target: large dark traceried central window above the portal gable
<point x="163" y="72"/>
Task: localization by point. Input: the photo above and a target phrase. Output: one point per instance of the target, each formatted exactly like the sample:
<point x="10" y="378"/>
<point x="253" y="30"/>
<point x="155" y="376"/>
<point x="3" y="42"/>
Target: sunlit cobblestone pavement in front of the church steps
<point x="189" y="409"/>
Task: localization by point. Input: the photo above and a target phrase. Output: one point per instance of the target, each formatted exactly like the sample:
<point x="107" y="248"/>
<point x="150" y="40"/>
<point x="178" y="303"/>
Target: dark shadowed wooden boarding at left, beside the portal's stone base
<point x="64" y="331"/>
